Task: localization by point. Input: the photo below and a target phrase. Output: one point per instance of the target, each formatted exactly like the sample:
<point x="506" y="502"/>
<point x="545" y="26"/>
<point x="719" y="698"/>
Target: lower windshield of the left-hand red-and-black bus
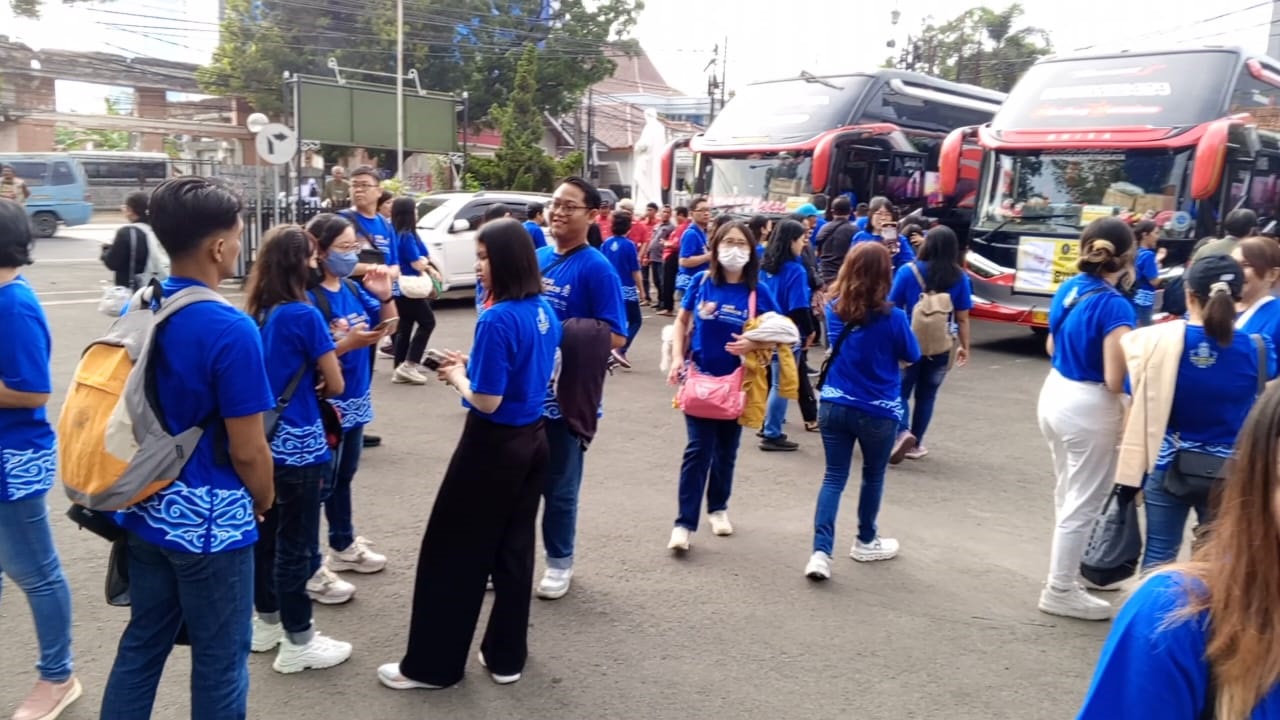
<point x="758" y="183"/>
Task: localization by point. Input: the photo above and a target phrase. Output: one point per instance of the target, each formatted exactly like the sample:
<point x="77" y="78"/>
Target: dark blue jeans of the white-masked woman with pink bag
<point x="708" y="466"/>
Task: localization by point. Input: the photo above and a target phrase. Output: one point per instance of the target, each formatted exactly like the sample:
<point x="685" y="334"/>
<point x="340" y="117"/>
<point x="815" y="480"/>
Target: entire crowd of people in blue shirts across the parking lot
<point x="1155" y="408"/>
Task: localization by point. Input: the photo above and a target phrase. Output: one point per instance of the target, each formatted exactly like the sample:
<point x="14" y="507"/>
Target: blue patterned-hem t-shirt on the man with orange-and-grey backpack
<point x="209" y="364"/>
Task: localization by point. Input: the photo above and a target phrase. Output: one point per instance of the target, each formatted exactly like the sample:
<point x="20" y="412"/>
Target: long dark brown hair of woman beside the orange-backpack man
<point x="281" y="271"/>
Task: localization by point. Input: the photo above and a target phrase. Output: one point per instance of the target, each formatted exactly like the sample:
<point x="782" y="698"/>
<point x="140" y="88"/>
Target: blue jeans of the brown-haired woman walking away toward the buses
<point x="842" y="427"/>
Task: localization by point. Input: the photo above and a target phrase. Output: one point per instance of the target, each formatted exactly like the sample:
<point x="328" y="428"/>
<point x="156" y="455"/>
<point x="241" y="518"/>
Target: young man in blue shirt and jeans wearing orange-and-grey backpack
<point x="191" y="544"/>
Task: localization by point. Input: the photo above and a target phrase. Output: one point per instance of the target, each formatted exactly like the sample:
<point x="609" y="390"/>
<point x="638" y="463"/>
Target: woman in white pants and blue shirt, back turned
<point x="1081" y="411"/>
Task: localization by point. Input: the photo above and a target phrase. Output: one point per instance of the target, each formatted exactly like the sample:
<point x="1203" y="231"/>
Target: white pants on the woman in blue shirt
<point x="1082" y="423"/>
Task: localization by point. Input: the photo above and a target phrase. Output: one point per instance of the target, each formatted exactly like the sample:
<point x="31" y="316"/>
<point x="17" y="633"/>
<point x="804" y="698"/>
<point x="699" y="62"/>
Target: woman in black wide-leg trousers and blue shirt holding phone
<point x="486" y="511"/>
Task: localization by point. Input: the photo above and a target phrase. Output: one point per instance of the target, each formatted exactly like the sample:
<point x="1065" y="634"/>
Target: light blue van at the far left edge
<point x="60" y="189"/>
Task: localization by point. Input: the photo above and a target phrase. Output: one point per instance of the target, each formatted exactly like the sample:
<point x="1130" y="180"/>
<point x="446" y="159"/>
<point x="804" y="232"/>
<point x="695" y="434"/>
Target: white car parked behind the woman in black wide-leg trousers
<point x="449" y="221"/>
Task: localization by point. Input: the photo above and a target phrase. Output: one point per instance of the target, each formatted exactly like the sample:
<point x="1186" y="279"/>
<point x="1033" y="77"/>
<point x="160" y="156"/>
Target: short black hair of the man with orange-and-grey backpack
<point x="185" y="212"/>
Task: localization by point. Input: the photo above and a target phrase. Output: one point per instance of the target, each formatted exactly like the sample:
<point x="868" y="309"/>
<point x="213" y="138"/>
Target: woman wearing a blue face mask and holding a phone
<point x="349" y="309"/>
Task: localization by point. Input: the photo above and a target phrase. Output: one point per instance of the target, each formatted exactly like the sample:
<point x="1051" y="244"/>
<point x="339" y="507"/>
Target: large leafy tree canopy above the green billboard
<point x="456" y="45"/>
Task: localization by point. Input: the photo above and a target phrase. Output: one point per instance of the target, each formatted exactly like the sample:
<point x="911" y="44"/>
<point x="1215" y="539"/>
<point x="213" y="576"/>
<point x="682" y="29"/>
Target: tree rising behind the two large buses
<point x="980" y="47"/>
